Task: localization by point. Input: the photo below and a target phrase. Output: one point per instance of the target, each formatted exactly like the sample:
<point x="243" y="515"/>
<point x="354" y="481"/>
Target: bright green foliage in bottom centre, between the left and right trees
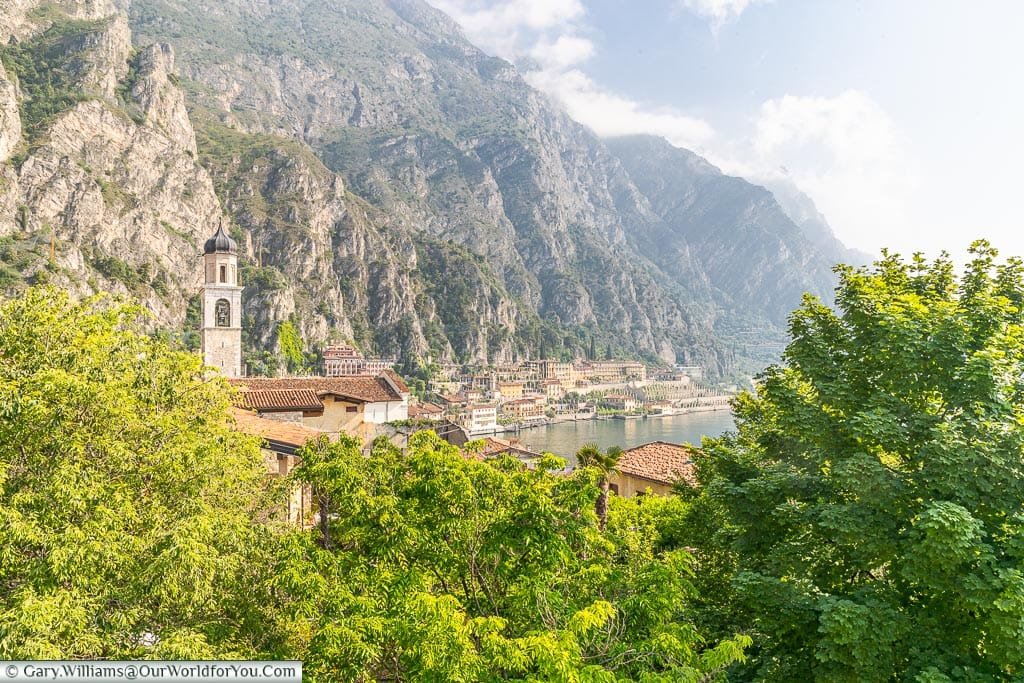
<point x="431" y="567"/>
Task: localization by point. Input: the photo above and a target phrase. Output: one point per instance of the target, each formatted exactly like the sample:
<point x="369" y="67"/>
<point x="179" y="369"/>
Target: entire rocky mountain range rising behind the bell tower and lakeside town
<point x="389" y="183"/>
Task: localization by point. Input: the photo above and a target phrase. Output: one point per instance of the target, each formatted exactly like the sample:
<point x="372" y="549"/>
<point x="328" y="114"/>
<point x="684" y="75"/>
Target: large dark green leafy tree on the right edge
<point x="869" y="514"/>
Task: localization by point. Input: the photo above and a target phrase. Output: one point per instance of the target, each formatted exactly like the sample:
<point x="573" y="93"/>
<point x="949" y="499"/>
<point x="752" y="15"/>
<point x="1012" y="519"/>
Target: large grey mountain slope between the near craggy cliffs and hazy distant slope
<point x="449" y="143"/>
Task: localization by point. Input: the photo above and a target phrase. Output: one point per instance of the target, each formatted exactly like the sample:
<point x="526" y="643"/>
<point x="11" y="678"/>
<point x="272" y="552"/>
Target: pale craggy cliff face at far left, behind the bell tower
<point x="103" y="190"/>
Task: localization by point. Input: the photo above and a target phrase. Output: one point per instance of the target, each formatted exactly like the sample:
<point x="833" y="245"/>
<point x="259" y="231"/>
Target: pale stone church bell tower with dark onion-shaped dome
<point x="221" y="329"/>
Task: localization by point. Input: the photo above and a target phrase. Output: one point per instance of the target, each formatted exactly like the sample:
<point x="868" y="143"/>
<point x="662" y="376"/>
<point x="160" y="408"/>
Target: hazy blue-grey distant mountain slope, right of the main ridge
<point x="742" y="238"/>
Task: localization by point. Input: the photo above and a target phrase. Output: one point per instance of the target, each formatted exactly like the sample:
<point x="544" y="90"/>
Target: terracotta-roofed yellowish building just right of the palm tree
<point x="655" y="468"/>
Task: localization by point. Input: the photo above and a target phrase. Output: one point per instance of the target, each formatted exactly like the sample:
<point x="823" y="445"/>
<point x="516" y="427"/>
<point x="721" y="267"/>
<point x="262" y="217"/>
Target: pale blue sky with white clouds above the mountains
<point x="903" y="119"/>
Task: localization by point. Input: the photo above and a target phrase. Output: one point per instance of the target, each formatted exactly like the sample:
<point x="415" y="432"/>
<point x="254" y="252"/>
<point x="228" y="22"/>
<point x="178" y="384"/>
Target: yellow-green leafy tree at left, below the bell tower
<point x="127" y="501"/>
